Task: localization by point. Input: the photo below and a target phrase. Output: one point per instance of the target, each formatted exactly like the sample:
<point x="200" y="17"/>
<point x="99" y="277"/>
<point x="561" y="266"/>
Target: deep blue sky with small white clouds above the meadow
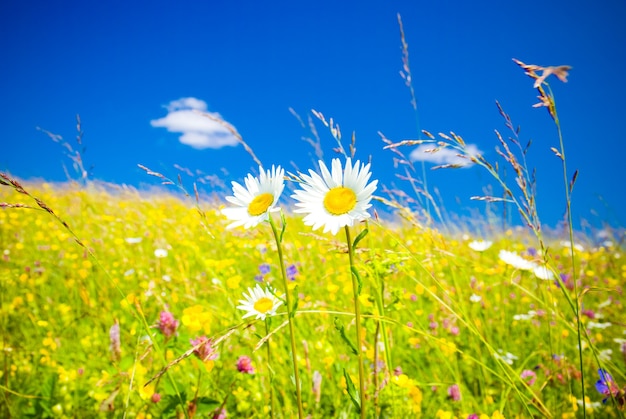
<point x="132" y="70"/>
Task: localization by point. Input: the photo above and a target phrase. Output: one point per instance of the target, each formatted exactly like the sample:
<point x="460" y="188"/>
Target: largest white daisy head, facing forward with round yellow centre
<point x="338" y="198"/>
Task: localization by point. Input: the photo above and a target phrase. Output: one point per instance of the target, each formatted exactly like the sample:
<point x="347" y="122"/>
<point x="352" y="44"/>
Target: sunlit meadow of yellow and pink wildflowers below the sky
<point x="452" y="326"/>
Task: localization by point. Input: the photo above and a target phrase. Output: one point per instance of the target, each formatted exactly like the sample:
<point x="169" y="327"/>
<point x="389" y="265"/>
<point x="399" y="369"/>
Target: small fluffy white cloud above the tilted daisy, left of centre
<point x="196" y="130"/>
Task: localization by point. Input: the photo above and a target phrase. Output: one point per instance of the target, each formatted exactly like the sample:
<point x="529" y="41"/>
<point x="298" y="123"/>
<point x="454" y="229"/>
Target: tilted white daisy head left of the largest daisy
<point x="254" y="202"/>
